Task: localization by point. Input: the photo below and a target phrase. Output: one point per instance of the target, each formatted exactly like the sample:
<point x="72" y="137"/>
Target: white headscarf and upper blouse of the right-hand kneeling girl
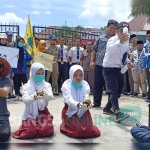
<point x="78" y="95"/>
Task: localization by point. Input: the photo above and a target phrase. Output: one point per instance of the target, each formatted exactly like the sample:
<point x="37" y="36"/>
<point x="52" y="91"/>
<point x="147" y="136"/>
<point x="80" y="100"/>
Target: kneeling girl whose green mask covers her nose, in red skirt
<point x="36" y="119"/>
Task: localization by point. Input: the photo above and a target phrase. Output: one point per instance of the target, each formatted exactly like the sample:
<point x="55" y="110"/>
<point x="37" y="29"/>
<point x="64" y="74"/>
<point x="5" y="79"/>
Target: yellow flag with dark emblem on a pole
<point x="29" y="40"/>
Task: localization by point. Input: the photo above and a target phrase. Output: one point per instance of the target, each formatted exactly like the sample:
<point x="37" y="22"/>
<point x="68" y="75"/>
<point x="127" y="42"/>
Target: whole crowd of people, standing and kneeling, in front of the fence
<point x="77" y="72"/>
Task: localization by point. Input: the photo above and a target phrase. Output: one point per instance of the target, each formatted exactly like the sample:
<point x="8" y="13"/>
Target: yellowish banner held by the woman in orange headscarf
<point x="45" y="59"/>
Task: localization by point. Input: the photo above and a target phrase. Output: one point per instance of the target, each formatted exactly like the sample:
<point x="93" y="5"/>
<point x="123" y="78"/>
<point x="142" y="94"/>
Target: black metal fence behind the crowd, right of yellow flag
<point x="68" y="32"/>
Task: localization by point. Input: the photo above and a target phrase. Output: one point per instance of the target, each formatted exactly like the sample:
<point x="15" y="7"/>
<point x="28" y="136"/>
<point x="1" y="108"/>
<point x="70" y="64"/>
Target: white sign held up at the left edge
<point x="10" y="54"/>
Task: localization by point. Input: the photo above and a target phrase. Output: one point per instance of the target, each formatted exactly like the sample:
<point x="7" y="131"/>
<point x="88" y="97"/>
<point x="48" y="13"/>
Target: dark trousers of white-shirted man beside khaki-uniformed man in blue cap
<point x="62" y="68"/>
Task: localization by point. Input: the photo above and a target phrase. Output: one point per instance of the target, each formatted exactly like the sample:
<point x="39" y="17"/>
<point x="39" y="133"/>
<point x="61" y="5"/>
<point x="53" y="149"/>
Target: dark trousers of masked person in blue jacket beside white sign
<point x="18" y="78"/>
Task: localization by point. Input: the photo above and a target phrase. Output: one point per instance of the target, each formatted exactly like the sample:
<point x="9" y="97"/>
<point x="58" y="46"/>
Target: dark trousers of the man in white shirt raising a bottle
<point x="115" y="82"/>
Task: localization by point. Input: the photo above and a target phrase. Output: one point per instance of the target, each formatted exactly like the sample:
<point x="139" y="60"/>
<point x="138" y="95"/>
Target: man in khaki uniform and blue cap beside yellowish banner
<point x="53" y="50"/>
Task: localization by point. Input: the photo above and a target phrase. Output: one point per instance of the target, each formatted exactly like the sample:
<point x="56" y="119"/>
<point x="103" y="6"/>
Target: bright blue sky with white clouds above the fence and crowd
<point x="87" y="13"/>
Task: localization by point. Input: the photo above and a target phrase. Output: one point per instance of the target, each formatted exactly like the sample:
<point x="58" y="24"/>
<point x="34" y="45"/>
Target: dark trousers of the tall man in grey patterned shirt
<point x="98" y="85"/>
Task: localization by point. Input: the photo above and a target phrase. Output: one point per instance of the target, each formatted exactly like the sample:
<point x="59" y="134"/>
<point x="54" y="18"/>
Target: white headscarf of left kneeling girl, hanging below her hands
<point x="33" y="87"/>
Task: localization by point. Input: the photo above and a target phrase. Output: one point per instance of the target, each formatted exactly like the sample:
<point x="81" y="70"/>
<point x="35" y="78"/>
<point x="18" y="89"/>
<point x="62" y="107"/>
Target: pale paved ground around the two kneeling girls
<point x="110" y="131"/>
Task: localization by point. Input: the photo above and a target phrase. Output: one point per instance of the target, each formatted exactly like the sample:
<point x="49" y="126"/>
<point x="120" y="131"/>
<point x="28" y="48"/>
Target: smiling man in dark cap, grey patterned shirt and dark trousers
<point x="97" y="56"/>
